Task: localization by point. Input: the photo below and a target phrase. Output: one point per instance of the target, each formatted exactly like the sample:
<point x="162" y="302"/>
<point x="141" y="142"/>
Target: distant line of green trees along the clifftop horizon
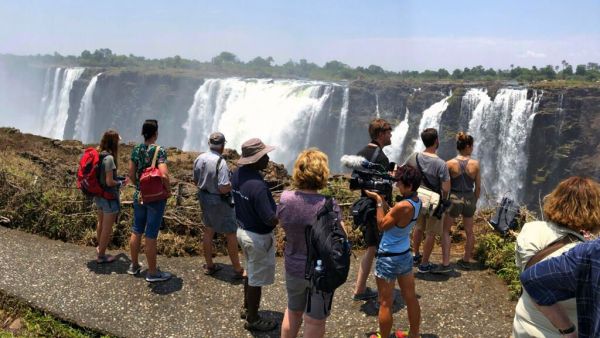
<point x="227" y="63"/>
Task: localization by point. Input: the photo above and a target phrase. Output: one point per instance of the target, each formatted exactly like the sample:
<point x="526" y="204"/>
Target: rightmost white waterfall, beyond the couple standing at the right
<point x="500" y="129"/>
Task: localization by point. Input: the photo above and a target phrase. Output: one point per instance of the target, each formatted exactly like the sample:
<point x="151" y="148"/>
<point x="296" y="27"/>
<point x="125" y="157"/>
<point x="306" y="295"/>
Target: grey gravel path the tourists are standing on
<point x="64" y="280"/>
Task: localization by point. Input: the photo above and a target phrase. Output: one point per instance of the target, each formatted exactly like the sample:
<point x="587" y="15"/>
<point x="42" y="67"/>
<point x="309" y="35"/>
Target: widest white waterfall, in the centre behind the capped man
<point x="282" y="113"/>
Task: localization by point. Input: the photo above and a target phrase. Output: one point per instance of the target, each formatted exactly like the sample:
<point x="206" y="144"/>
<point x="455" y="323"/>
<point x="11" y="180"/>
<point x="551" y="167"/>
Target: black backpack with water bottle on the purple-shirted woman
<point x="327" y="241"/>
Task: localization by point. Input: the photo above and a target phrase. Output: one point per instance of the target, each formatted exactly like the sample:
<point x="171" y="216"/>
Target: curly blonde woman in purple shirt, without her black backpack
<point x="297" y="209"/>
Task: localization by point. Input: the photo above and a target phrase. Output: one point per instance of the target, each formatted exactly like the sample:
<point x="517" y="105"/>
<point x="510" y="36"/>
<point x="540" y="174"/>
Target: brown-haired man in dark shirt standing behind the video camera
<point x="380" y="132"/>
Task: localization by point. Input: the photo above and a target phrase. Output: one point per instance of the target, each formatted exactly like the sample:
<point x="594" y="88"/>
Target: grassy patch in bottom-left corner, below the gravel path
<point x="35" y="323"/>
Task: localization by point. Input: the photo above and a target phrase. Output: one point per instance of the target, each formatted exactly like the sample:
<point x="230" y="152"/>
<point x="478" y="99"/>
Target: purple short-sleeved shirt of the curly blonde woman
<point x="296" y="210"/>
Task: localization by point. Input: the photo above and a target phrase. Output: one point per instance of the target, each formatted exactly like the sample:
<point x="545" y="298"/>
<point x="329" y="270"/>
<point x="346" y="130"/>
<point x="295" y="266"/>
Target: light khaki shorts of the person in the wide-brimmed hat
<point x="259" y="253"/>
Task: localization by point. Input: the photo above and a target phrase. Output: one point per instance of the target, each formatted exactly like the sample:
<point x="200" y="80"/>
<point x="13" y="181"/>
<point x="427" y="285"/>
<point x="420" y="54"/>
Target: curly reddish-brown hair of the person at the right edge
<point x="575" y="204"/>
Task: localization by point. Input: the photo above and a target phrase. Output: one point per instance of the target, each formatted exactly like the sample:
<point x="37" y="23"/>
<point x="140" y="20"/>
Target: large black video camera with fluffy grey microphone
<point x="369" y="176"/>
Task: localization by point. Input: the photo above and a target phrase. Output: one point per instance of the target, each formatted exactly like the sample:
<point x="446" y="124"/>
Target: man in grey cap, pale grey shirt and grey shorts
<point x="211" y="175"/>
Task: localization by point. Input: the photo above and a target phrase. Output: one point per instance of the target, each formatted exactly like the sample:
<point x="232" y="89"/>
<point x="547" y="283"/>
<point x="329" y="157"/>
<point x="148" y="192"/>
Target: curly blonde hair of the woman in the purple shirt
<point x="311" y="170"/>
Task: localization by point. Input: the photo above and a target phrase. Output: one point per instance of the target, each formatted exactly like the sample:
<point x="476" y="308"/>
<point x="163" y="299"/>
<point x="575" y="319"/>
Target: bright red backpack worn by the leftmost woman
<point x="88" y="175"/>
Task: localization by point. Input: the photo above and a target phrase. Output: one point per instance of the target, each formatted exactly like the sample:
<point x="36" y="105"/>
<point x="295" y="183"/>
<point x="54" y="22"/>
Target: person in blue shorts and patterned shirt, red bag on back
<point x="148" y="171"/>
